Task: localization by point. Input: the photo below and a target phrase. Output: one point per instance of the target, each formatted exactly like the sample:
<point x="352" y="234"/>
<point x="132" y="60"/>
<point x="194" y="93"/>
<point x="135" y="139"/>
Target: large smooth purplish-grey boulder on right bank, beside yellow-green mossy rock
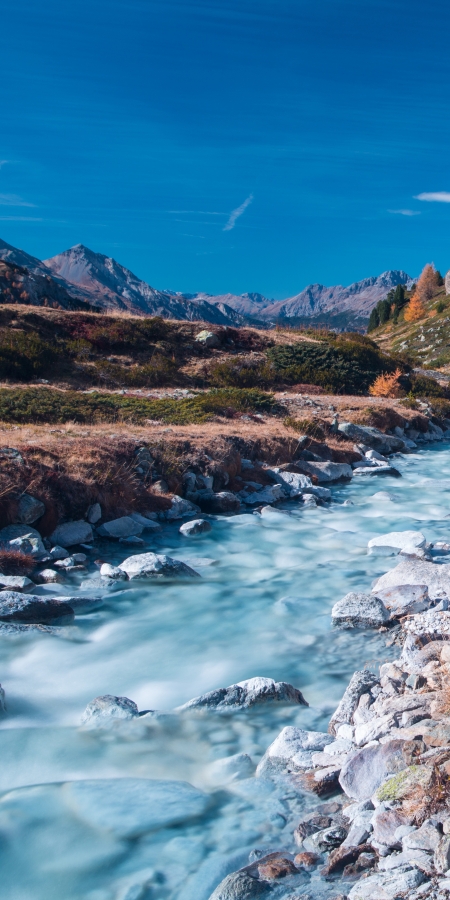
<point x="368" y="769"/>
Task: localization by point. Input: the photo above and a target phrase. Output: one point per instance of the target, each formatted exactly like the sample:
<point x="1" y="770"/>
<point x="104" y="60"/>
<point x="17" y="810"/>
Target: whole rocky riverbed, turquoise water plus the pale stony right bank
<point x="244" y="694"/>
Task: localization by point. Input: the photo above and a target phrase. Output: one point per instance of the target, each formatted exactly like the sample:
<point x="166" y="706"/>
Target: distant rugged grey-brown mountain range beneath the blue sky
<point x="79" y="277"/>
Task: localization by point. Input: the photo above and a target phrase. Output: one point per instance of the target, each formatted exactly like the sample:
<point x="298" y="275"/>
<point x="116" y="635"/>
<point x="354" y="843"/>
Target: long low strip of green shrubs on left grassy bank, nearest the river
<point x="46" y="405"/>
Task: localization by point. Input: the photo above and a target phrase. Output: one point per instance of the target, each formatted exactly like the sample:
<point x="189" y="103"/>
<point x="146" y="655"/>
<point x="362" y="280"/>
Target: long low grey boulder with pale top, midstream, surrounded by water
<point x="247" y="693"/>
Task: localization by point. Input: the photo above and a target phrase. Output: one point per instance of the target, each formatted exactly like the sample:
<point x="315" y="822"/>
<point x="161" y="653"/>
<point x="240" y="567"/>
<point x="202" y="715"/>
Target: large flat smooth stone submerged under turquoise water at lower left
<point x="129" y="807"/>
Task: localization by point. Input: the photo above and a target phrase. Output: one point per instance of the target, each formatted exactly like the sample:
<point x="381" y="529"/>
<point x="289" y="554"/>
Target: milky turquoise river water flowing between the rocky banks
<point x="162" y="644"/>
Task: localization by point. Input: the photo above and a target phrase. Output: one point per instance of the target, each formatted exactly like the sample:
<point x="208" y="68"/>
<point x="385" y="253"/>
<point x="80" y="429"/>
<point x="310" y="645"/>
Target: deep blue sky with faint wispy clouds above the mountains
<point x="136" y="127"/>
